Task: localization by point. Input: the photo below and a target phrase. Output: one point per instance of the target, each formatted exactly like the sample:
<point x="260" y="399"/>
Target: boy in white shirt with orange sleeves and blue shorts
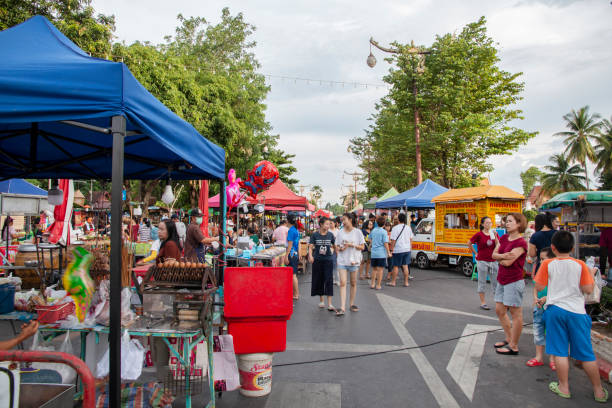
<point x="567" y="324"/>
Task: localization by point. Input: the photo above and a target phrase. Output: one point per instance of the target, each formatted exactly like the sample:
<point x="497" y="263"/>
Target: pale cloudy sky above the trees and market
<point x="562" y="47"/>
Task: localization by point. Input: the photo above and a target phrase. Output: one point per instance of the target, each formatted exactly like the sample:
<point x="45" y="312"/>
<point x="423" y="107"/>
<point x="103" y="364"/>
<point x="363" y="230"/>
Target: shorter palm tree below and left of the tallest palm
<point x="561" y="176"/>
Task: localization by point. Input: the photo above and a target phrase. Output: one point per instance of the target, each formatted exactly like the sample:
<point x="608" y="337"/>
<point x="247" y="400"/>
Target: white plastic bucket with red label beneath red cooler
<point x="255" y="374"/>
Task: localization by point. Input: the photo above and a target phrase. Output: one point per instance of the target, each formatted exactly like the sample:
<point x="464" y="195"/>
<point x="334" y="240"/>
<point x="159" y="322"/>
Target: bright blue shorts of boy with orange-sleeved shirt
<point x="566" y="330"/>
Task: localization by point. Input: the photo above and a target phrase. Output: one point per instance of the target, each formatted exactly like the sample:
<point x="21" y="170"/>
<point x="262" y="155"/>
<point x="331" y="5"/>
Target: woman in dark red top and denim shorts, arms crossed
<point x="510" y="251"/>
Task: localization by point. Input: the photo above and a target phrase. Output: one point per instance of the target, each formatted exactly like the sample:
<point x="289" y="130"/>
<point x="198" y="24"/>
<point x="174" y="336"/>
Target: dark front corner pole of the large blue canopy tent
<point x="118" y="127"/>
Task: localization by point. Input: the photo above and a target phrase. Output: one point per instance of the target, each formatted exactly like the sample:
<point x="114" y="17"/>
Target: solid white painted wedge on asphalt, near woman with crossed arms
<point x="465" y="361"/>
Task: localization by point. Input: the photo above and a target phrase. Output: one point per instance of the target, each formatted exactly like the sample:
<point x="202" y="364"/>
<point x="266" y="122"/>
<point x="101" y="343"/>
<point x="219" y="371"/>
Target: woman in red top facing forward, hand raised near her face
<point x="485" y="240"/>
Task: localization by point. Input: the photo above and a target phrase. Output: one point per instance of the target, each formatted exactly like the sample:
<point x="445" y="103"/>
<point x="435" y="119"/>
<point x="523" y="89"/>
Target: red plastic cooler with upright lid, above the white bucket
<point x="258" y="303"/>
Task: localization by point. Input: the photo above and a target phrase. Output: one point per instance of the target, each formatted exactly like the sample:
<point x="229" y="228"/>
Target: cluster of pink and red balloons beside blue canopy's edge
<point x="260" y="178"/>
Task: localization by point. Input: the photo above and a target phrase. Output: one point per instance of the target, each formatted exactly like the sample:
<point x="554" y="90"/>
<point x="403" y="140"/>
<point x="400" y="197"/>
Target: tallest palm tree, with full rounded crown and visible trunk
<point x="583" y="127"/>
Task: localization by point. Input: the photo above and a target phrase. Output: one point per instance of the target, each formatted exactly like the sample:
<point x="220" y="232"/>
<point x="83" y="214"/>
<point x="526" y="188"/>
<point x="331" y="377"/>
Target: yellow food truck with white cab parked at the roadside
<point x="443" y="239"/>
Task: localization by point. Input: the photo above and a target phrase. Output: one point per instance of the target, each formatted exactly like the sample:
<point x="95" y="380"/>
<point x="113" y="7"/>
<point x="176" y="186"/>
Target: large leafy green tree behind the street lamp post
<point x="467" y="108"/>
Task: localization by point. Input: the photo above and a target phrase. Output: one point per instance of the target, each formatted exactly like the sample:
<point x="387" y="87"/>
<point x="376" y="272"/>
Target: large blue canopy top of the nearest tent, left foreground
<point x="45" y="79"/>
